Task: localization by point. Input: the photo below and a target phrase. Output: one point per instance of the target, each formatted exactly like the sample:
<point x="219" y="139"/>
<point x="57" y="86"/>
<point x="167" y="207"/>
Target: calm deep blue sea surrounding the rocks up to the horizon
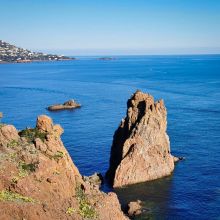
<point x="190" y="87"/>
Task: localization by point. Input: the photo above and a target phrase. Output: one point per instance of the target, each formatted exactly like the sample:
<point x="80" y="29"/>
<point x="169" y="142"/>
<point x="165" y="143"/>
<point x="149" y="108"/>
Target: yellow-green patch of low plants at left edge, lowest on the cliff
<point x="6" y="195"/>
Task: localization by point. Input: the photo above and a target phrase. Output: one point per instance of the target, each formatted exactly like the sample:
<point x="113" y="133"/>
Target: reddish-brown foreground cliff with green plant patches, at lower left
<point x="38" y="179"/>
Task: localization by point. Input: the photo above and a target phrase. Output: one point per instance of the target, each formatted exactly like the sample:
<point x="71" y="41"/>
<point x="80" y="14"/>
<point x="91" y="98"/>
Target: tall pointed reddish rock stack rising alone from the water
<point x="141" y="149"/>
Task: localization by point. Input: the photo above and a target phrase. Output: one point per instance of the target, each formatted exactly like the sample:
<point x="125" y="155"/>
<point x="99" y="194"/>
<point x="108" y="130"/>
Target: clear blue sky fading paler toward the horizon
<point x="85" y="27"/>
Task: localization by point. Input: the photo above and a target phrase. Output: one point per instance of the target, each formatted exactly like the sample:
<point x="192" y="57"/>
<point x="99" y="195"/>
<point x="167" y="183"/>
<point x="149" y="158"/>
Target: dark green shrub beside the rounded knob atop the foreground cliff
<point x="32" y="133"/>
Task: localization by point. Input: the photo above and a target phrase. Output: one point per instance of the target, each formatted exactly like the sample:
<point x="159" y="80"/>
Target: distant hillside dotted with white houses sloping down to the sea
<point x="10" y="54"/>
